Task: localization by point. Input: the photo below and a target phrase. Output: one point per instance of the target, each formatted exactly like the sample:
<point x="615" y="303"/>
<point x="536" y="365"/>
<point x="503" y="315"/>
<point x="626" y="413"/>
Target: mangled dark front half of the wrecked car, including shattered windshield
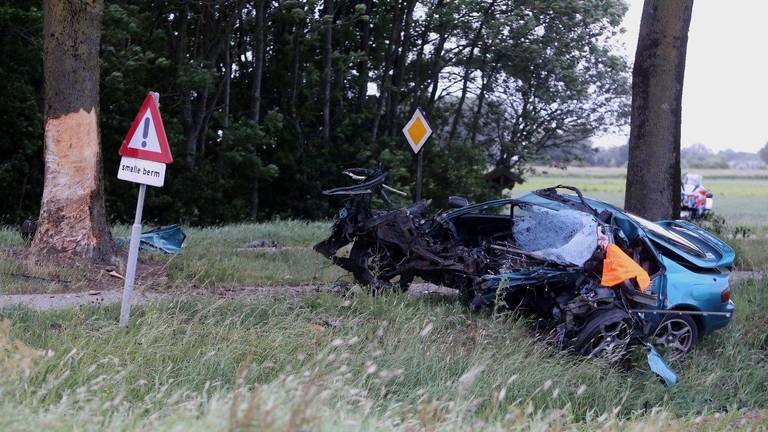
<point x="513" y="254"/>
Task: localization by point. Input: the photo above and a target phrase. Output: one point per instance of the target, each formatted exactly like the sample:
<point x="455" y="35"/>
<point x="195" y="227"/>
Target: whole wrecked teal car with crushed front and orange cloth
<point x="598" y="280"/>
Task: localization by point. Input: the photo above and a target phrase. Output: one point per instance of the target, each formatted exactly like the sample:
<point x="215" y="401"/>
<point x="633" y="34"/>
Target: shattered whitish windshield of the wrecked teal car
<point x="565" y="236"/>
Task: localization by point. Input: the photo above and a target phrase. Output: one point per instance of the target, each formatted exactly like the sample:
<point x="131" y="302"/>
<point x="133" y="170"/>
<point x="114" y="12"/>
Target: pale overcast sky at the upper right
<point x="725" y="93"/>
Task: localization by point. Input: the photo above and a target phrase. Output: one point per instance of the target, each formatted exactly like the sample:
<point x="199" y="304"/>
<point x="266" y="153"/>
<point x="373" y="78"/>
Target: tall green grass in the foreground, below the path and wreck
<point x="392" y="363"/>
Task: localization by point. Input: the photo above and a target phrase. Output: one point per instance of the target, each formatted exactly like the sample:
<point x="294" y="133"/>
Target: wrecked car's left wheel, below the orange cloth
<point x="607" y="335"/>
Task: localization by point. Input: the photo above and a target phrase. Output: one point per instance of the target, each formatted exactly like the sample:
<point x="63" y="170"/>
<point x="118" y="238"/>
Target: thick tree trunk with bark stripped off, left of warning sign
<point x="72" y="220"/>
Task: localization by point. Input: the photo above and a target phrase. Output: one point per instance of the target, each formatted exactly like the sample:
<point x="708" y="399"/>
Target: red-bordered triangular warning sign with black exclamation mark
<point x="146" y="138"/>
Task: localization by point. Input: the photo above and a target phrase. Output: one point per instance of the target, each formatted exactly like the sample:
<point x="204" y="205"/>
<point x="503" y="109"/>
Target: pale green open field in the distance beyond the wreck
<point x="741" y="196"/>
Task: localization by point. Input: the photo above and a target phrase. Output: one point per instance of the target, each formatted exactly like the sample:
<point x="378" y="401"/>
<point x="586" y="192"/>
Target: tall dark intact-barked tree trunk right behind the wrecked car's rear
<point x="653" y="169"/>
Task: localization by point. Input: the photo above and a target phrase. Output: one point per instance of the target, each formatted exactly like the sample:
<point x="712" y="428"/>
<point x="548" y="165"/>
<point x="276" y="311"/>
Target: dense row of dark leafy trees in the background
<point x="264" y="102"/>
